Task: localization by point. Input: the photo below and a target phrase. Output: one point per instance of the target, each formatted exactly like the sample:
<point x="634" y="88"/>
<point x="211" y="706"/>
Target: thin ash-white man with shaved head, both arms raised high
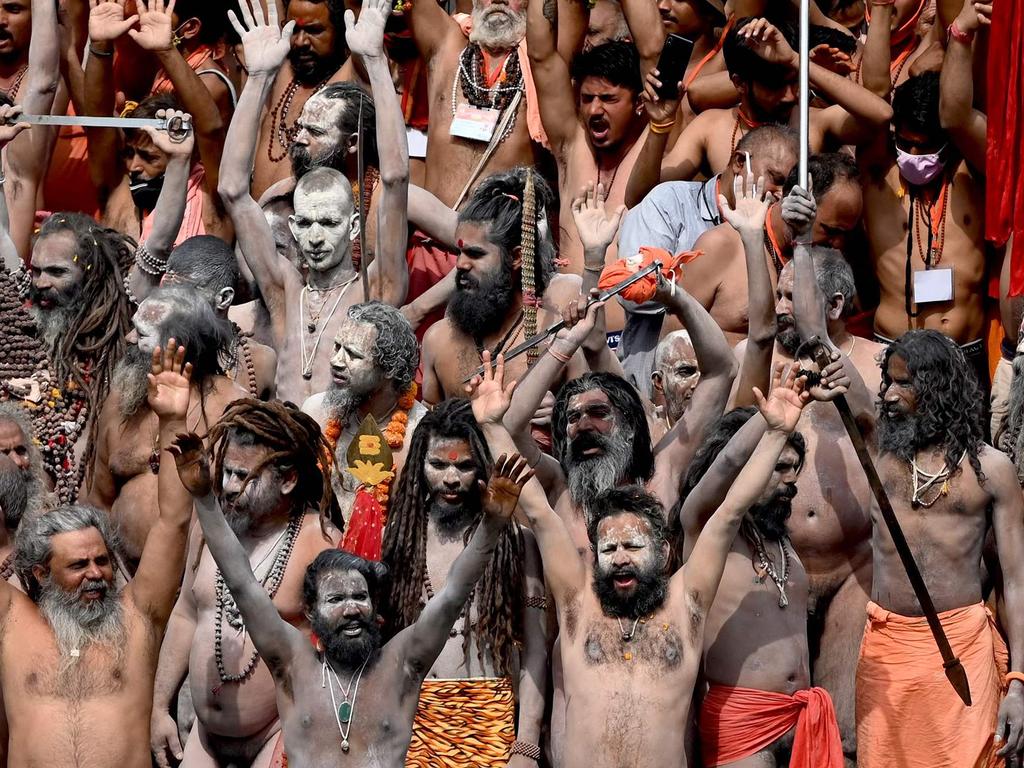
<point x="306" y="310"/>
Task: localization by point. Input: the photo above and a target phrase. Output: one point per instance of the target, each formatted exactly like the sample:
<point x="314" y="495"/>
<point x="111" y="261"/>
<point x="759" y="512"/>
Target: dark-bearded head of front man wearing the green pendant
<point x="342" y="596"/>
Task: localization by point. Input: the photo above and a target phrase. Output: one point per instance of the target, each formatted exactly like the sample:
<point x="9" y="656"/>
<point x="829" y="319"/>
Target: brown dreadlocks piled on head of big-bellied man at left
<point x="295" y="441"/>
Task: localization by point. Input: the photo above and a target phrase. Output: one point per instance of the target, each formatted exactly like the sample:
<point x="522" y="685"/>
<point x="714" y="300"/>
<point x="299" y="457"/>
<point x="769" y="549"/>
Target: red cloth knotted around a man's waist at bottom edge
<point x="739" y="722"/>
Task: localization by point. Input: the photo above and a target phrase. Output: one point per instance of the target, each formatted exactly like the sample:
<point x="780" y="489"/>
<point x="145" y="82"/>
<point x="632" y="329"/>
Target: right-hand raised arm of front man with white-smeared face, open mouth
<point x="703" y="572"/>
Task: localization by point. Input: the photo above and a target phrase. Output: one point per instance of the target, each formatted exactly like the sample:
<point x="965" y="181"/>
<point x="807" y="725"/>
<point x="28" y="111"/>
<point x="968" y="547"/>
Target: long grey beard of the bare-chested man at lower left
<point x="77" y="624"/>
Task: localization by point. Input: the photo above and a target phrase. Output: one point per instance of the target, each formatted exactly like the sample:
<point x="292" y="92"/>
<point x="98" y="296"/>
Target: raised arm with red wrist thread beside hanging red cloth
<point x="966" y="125"/>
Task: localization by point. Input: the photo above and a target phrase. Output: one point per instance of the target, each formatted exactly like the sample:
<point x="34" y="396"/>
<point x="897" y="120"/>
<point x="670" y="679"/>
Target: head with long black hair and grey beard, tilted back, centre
<point x="601" y="436"/>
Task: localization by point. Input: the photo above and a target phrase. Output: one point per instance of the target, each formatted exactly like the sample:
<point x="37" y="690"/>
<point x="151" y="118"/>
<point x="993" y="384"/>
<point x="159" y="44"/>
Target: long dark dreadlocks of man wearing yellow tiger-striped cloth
<point x="500" y="594"/>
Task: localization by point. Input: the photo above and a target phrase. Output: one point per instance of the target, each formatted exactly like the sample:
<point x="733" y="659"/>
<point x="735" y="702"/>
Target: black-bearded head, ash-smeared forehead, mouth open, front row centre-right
<point x="629" y="537"/>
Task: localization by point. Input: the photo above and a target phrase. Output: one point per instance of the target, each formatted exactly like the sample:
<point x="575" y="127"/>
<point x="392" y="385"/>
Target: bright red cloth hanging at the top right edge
<point x="1005" y="156"/>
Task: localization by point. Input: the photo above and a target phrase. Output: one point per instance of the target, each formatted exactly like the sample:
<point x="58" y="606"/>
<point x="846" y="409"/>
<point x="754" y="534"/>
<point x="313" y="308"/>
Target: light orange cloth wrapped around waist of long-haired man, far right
<point x="909" y="715"/>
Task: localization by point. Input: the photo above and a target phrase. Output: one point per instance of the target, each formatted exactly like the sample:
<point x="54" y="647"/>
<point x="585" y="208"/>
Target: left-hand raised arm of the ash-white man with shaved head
<point x="266" y="49"/>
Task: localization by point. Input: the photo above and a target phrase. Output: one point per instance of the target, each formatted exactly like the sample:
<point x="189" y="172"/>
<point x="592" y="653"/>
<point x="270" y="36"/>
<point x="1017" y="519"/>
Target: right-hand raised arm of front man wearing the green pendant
<point x="426" y="638"/>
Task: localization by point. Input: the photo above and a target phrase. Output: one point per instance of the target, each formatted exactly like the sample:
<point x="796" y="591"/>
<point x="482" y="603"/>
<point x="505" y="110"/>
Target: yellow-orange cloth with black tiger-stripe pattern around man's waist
<point x="463" y="723"/>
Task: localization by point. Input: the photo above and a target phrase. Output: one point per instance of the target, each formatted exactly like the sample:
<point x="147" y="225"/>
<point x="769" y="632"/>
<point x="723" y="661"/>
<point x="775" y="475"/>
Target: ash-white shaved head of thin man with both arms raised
<point x="325" y="219"/>
